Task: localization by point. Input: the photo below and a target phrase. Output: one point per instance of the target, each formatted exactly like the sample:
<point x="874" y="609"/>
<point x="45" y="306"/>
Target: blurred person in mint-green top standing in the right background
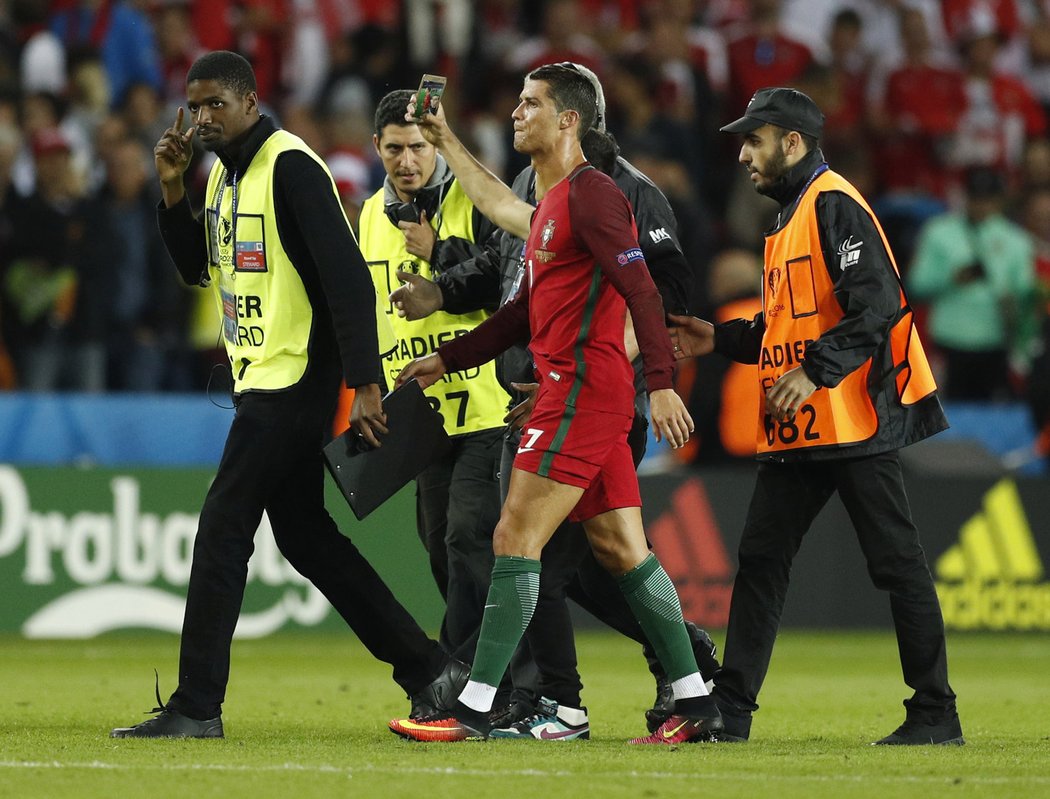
<point x="976" y="271"/>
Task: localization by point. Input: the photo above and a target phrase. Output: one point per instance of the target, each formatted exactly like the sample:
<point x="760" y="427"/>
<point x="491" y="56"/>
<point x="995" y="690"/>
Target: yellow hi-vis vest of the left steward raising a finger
<point x="266" y="313"/>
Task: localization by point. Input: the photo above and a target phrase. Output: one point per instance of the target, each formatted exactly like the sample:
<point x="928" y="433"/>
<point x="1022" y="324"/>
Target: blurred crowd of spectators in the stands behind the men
<point x="937" y="111"/>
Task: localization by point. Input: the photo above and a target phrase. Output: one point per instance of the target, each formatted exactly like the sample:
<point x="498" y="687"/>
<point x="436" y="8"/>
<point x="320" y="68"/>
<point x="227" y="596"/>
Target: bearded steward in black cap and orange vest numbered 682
<point x="846" y="386"/>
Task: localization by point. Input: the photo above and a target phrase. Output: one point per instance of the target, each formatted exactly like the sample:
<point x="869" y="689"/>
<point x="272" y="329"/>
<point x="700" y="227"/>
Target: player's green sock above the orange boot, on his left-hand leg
<point x="509" y="609"/>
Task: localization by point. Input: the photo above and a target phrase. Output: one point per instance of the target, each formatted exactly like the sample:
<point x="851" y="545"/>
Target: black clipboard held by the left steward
<point x="370" y="476"/>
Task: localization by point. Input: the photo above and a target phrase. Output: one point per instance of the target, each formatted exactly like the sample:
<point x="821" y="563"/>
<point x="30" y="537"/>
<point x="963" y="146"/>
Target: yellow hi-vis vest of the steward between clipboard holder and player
<point x="470" y="401"/>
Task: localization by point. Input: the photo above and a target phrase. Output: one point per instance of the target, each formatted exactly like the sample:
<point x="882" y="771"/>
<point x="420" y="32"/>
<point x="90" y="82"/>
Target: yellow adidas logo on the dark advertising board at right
<point x="993" y="579"/>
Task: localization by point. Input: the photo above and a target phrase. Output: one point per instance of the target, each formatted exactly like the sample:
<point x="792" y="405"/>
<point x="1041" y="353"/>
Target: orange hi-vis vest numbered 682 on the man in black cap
<point x="800" y="305"/>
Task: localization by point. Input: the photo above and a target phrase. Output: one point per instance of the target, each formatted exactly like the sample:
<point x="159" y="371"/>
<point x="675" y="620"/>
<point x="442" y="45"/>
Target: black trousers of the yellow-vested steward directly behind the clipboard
<point x="457" y="509"/>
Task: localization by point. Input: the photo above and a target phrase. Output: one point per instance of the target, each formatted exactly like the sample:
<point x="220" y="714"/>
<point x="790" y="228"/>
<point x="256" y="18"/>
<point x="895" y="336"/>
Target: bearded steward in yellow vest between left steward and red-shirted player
<point x="422" y="213"/>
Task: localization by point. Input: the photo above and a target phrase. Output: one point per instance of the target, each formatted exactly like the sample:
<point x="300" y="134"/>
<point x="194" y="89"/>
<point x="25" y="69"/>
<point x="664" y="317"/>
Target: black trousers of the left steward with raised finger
<point x="272" y="462"/>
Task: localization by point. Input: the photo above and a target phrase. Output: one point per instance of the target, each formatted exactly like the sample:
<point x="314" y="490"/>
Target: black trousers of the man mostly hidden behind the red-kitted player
<point x="547" y="663"/>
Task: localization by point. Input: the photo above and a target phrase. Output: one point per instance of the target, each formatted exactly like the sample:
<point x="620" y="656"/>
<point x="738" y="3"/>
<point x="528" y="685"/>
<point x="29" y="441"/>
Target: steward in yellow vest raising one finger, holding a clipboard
<point x="299" y="313"/>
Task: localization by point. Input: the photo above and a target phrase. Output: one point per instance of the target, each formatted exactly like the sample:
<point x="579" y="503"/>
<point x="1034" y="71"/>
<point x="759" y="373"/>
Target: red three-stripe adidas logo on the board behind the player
<point x="689" y="543"/>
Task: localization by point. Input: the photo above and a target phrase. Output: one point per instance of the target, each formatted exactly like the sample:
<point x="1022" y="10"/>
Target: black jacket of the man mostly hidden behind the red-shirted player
<point x="492" y="278"/>
